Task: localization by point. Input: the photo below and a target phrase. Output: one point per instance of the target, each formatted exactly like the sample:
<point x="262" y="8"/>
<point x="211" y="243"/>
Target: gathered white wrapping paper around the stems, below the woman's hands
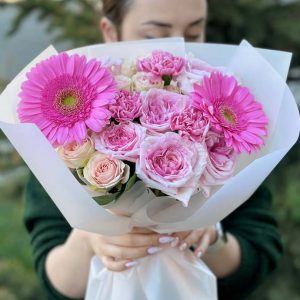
<point x="173" y="275"/>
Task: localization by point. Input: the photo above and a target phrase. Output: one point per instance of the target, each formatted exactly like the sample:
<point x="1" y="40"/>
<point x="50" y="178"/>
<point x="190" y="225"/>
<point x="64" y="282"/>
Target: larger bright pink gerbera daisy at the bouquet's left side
<point x="65" y="95"/>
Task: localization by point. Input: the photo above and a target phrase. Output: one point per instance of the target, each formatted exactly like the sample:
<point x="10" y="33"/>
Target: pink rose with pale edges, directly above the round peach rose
<point x="121" y="141"/>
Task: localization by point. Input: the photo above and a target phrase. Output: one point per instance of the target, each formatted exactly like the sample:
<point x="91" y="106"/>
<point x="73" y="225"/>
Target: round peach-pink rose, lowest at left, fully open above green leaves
<point x="102" y="173"/>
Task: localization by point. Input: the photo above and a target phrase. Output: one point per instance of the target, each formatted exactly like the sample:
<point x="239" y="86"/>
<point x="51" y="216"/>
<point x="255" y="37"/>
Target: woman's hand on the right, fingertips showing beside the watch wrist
<point x="201" y="239"/>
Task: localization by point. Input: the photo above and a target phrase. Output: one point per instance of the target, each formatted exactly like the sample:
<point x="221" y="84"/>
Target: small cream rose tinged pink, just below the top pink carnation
<point x="143" y="82"/>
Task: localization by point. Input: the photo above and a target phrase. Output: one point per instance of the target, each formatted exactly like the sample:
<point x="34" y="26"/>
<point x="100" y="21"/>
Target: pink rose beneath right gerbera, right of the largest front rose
<point x="220" y="165"/>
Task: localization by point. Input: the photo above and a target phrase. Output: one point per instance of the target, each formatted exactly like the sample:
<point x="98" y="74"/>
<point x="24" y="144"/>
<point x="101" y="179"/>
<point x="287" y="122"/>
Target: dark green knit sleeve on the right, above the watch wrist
<point x="255" y="228"/>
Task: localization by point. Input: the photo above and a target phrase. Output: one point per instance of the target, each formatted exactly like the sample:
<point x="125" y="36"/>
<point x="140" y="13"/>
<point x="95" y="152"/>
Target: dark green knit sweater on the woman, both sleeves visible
<point x="252" y="224"/>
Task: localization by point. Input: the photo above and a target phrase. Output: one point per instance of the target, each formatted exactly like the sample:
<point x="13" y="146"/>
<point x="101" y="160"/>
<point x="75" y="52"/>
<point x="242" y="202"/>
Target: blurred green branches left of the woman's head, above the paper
<point x="76" y="19"/>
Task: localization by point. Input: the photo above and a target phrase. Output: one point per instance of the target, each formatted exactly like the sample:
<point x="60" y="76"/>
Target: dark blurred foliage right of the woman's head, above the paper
<point x="268" y="24"/>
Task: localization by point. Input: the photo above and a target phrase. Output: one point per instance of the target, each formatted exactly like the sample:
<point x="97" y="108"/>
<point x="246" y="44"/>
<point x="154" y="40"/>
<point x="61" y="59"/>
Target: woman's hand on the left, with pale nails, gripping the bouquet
<point x="121" y="252"/>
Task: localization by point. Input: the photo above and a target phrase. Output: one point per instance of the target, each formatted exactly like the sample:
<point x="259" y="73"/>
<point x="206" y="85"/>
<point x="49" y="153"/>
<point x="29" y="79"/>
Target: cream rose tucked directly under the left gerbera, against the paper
<point x="76" y="155"/>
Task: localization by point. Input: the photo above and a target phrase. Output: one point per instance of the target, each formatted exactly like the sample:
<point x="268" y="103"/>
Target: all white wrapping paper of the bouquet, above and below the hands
<point x="264" y="72"/>
